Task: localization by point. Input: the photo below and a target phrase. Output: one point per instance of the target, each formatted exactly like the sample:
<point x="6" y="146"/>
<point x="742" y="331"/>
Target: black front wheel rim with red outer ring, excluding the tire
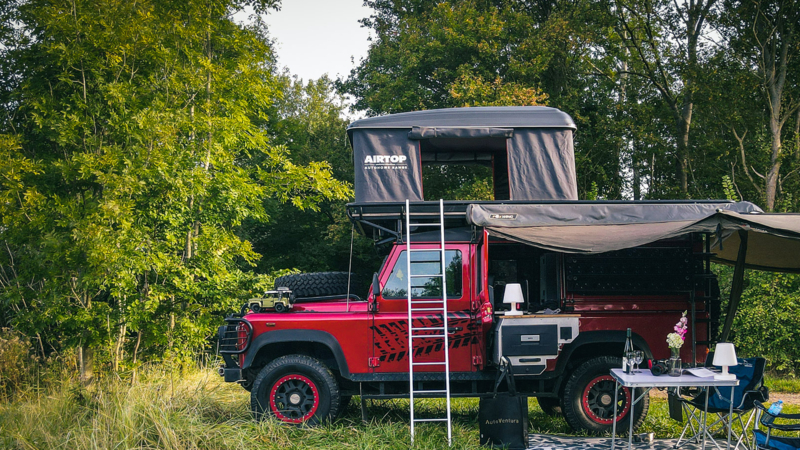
<point x="294" y="399"/>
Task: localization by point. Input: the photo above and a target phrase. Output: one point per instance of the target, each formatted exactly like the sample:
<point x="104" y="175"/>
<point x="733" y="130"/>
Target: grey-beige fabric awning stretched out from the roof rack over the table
<point x="773" y="239"/>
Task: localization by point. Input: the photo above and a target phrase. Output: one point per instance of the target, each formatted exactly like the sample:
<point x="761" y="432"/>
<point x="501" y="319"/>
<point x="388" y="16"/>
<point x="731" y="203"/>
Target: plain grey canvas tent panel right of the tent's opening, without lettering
<point x="541" y="165"/>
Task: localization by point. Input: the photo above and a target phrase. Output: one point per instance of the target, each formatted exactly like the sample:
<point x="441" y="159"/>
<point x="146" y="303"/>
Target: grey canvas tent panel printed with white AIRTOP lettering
<point x="387" y="166"/>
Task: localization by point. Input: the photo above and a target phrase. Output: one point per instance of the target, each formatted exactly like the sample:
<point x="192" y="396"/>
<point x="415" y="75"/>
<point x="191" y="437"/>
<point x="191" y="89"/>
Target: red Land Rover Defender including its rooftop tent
<point x="585" y="277"/>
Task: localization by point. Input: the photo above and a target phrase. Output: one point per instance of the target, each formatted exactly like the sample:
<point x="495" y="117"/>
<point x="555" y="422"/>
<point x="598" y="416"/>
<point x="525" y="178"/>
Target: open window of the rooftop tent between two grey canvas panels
<point x="465" y="169"/>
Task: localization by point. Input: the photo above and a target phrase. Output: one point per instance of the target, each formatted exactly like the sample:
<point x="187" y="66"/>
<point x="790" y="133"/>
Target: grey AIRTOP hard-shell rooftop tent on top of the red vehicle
<point x="529" y="148"/>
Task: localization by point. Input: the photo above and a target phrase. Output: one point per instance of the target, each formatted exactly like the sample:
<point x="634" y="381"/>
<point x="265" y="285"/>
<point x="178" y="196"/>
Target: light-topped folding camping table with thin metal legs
<point x="645" y="379"/>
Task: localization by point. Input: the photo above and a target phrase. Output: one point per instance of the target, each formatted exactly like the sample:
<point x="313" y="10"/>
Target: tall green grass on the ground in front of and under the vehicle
<point x="198" y="411"/>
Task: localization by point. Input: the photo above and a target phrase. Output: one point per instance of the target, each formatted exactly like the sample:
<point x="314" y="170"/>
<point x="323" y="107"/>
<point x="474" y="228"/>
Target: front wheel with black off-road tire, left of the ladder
<point x="296" y="389"/>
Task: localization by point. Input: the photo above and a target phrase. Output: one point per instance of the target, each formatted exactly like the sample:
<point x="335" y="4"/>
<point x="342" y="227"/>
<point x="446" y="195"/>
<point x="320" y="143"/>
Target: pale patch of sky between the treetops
<point x="315" y="37"/>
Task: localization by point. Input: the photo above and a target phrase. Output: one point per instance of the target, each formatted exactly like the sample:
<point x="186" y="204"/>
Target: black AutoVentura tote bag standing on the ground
<point x="503" y="418"/>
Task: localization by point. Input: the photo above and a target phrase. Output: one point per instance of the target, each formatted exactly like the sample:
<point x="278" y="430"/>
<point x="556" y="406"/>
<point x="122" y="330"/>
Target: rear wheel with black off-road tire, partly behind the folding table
<point x="589" y="398"/>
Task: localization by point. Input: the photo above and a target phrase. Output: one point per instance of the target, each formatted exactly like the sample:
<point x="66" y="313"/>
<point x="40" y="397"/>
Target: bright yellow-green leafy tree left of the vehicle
<point x="135" y="145"/>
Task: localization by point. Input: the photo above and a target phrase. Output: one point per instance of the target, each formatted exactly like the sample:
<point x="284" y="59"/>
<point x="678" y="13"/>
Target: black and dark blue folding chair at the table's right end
<point x="750" y="373"/>
